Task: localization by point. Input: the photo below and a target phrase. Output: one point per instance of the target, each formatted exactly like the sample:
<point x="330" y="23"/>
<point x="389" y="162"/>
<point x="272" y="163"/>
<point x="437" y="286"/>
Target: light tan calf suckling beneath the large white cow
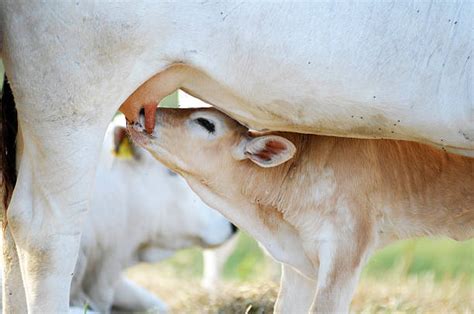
<point x="320" y="205"/>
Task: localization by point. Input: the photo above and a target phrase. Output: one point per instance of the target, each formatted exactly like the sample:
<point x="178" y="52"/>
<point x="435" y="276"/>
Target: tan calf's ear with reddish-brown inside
<point x="269" y="150"/>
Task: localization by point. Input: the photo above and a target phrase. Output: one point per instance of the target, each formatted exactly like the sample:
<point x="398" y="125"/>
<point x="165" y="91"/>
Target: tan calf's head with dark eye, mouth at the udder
<point x="210" y="146"/>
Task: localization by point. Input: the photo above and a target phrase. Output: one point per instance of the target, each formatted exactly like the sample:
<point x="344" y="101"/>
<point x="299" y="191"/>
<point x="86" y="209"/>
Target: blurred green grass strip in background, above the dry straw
<point x="442" y="258"/>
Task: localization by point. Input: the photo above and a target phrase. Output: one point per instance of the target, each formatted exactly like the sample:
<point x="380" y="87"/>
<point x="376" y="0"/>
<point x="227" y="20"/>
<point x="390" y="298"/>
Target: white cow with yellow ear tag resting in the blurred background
<point x="128" y="225"/>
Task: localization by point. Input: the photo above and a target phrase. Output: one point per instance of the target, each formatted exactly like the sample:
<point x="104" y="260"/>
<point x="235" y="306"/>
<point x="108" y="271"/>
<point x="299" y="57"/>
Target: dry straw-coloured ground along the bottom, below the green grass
<point x="392" y="295"/>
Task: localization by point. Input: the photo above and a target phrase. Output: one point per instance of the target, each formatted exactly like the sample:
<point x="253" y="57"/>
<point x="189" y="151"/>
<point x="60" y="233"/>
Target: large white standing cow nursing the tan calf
<point x="374" y="69"/>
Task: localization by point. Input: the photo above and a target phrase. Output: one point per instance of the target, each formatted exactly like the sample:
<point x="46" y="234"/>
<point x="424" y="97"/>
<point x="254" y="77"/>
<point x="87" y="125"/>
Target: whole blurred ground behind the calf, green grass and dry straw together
<point x="420" y="276"/>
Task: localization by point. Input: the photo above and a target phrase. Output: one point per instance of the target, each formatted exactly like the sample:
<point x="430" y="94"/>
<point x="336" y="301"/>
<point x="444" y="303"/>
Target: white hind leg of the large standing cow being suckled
<point x="48" y="206"/>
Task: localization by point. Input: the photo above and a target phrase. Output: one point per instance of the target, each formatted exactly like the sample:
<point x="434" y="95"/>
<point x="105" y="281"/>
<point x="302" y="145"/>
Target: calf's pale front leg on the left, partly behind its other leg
<point x="296" y="292"/>
